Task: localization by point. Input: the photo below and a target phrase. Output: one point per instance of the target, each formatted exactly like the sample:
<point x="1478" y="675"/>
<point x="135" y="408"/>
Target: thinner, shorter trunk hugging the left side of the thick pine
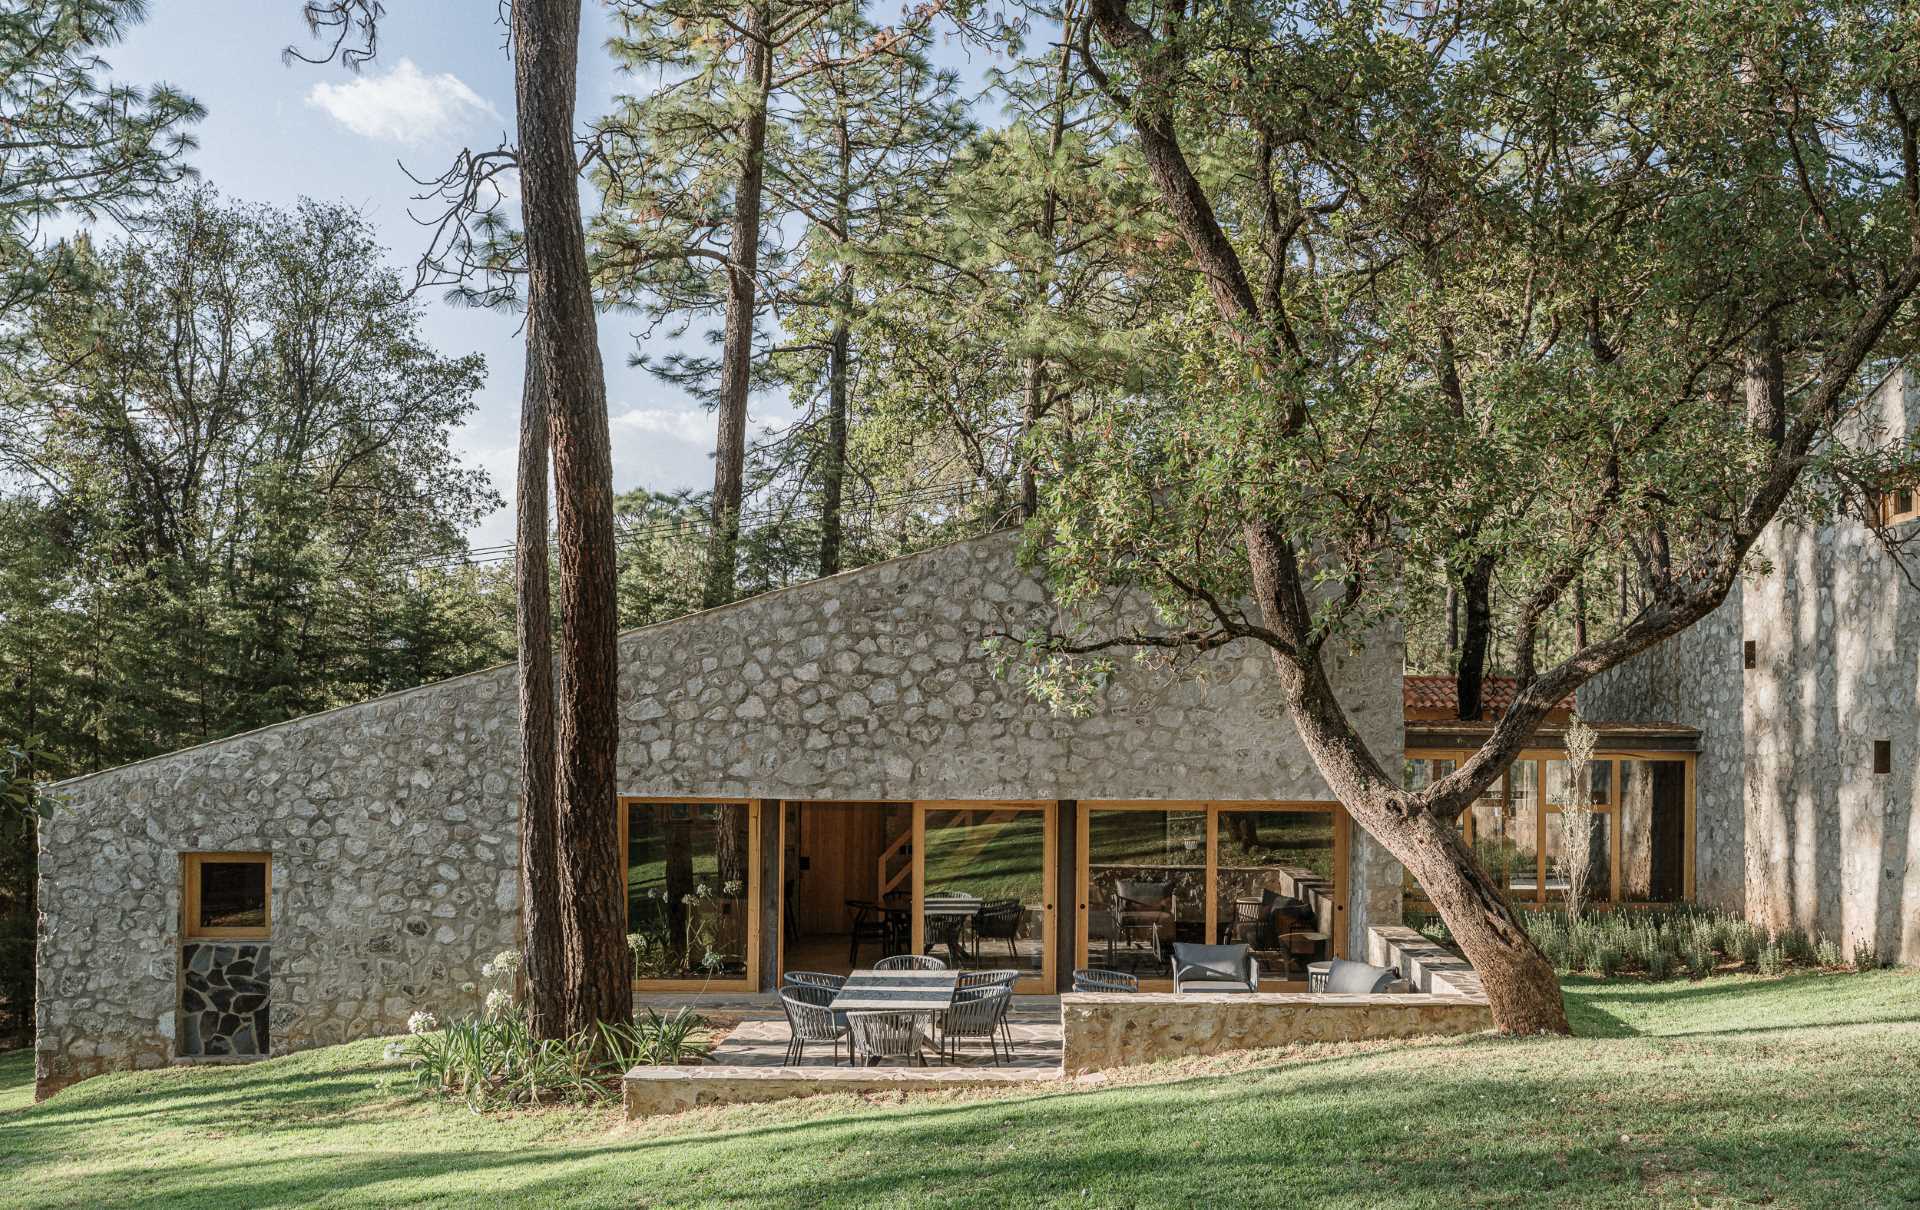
<point x="542" y="973"/>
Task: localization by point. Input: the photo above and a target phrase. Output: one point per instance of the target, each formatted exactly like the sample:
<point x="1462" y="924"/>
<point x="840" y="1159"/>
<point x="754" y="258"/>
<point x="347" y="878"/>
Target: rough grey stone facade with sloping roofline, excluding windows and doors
<point x="393" y="825"/>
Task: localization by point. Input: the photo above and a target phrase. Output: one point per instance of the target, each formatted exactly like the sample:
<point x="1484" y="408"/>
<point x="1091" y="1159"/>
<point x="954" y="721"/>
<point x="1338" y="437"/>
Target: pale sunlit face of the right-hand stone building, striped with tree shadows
<point x="1836" y="627"/>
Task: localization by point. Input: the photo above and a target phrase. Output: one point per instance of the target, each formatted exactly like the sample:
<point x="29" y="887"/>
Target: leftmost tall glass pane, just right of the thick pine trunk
<point x="688" y="884"/>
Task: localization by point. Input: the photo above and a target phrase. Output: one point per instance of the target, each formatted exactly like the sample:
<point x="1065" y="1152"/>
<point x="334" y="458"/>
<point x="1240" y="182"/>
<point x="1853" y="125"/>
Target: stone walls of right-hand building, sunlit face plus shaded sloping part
<point x="1796" y="829"/>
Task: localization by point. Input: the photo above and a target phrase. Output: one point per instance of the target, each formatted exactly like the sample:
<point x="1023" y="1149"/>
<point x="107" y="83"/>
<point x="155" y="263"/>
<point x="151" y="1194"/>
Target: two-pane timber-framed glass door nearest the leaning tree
<point x="1262" y="875"/>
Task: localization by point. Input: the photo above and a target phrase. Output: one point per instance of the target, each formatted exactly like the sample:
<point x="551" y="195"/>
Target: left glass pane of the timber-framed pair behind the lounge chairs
<point x="1145" y="886"/>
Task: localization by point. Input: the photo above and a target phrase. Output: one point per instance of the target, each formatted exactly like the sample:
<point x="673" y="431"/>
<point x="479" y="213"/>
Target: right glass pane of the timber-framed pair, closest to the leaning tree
<point x="1274" y="886"/>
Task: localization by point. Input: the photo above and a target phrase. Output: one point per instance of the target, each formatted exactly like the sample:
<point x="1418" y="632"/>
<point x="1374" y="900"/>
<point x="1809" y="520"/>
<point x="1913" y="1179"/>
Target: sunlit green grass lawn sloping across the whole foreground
<point x="1792" y="1092"/>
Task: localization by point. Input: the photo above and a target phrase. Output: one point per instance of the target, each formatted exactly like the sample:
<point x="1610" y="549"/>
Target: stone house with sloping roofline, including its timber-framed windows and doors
<point x="807" y="781"/>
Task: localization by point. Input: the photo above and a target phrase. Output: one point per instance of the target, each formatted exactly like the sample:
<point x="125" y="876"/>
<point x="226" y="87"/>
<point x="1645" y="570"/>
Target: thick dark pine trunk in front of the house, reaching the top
<point x="564" y="337"/>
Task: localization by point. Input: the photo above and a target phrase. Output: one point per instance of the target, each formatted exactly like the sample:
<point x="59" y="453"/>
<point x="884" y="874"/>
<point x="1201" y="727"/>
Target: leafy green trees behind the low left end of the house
<point x="237" y="441"/>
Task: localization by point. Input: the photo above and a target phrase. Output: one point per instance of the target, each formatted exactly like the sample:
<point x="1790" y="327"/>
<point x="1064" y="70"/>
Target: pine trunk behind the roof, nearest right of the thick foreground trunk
<point x="736" y="347"/>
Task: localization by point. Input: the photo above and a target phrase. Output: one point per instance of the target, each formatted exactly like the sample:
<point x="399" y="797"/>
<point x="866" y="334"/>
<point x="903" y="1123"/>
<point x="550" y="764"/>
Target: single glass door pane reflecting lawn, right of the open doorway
<point x="986" y="888"/>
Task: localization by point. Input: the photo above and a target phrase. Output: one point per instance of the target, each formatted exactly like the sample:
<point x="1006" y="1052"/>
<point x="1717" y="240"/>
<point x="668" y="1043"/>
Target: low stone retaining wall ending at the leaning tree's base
<point x="1115" y="1030"/>
